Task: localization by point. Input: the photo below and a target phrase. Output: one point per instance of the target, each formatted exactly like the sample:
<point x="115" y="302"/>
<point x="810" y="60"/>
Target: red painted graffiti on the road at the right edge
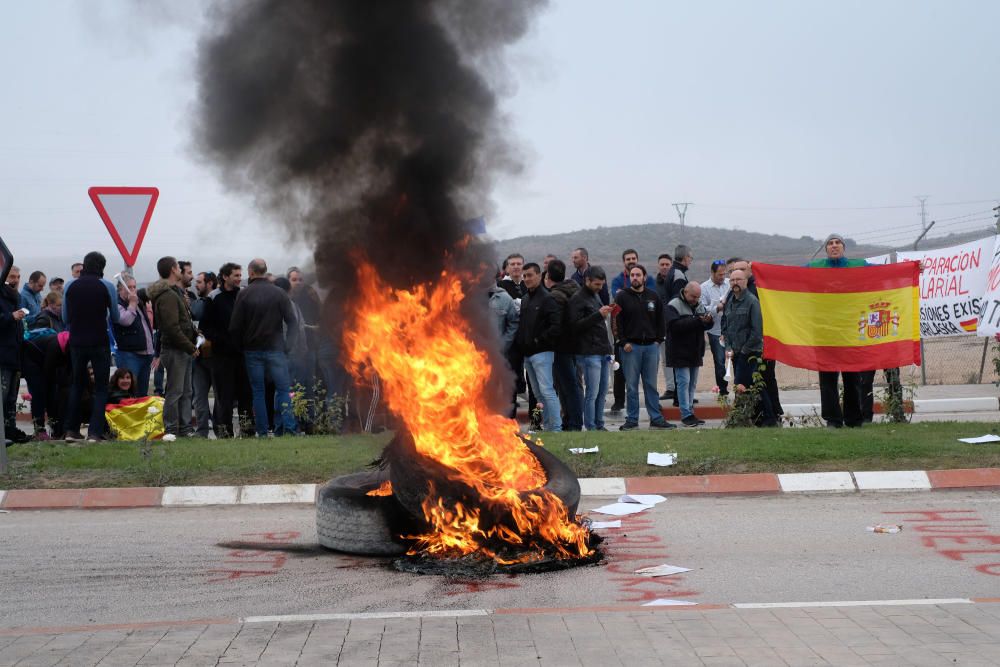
<point x="956" y="534"/>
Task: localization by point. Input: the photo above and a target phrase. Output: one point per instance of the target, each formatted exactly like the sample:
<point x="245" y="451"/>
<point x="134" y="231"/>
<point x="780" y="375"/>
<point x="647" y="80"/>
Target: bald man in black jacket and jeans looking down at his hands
<point x="687" y="321"/>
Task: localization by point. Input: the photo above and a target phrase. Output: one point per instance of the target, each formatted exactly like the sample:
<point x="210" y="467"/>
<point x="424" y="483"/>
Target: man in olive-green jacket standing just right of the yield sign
<point x="177" y="345"/>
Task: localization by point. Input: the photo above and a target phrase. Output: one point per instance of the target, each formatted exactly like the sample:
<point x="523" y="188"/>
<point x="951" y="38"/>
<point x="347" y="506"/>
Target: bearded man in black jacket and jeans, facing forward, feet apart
<point x="640" y="330"/>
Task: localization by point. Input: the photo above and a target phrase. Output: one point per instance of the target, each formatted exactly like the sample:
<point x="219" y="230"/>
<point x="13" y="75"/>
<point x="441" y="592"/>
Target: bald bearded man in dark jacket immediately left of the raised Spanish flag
<point x="743" y="333"/>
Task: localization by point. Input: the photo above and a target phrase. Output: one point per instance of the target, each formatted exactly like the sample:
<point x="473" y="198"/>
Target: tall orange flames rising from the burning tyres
<point x="434" y="378"/>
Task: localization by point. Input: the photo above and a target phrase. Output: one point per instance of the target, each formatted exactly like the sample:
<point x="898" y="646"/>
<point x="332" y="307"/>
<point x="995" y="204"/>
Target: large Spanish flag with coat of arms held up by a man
<point x="841" y="319"/>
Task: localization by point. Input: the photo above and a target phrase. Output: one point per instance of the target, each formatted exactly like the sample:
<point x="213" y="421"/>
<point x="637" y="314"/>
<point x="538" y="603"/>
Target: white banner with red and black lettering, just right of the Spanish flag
<point x="951" y="286"/>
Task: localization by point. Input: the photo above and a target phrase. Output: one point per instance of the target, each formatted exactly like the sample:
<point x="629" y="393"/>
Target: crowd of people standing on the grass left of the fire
<point x="192" y="335"/>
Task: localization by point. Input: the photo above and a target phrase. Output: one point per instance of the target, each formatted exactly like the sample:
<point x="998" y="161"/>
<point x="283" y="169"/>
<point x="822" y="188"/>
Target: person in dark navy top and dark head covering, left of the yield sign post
<point x="88" y="303"/>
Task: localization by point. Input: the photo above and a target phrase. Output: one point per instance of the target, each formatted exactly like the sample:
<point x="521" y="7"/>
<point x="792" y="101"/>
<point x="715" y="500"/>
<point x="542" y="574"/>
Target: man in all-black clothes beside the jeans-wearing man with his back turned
<point x="229" y="377"/>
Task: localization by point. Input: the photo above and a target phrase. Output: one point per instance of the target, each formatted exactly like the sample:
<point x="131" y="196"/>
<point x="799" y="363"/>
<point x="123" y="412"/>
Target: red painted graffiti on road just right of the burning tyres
<point x="632" y="549"/>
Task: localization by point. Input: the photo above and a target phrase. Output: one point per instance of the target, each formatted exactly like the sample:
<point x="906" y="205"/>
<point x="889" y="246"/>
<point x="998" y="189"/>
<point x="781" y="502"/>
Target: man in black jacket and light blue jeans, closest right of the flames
<point x="537" y="337"/>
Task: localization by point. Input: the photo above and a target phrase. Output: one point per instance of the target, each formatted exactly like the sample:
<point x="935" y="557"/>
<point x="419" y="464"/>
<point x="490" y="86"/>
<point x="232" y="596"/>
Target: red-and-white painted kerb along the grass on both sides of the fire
<point x="746" y="484"/>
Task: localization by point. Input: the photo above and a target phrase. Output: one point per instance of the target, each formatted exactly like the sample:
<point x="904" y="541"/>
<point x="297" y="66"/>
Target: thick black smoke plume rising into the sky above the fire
<point x="369" y="127"/>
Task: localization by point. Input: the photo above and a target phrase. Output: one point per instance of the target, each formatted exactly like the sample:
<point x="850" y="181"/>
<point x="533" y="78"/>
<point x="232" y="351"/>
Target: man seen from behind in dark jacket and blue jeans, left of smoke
<point x="259" y="316"/>
